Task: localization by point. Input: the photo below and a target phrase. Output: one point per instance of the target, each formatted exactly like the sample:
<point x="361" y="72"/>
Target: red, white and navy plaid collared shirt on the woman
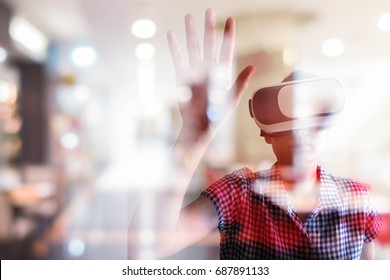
<point x="257" y="219"/>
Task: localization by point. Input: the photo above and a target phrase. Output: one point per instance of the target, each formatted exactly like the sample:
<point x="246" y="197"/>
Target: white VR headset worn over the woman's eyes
<point x="297" y="104"/>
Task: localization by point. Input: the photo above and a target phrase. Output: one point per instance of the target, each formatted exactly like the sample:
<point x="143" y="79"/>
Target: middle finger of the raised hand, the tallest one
<point x="210" y="36"/>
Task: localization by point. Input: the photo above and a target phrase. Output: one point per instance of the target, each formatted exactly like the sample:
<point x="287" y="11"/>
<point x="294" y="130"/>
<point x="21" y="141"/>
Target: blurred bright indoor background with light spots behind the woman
<point x="88" y="110"/>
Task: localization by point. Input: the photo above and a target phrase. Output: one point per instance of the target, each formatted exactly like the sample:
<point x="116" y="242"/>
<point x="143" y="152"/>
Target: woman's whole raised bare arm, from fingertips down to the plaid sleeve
<point x="160" y="226"/>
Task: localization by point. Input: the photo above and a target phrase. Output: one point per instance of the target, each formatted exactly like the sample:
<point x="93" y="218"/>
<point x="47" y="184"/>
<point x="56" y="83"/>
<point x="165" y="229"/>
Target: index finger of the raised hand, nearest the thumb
<point x="227" y="48"/>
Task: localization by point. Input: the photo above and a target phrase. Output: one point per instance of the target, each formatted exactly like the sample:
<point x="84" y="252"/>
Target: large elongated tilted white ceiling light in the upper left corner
<point x="30" y="38"/>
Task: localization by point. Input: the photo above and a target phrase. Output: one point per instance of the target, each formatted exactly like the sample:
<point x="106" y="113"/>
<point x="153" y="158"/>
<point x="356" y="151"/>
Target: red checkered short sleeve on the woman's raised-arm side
<point x="227" y="194"/>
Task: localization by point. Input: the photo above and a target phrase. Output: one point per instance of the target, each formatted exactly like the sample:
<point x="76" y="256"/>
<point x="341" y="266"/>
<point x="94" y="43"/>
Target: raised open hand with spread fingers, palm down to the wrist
<point x="206" y="96"/>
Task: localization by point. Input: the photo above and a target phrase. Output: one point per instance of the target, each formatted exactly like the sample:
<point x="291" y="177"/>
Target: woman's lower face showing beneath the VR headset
<point x="297" y="147"/>
